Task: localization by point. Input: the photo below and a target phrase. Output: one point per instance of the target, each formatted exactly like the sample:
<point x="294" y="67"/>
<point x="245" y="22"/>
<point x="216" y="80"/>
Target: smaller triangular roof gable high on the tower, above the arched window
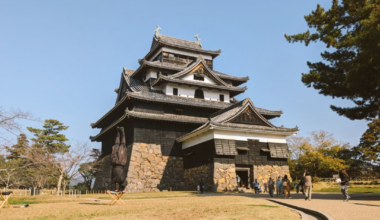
<point x="198" y="67"/>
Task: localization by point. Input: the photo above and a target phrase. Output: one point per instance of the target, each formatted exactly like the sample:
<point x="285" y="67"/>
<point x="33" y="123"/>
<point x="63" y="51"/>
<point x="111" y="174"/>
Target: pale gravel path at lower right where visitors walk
<point x="332" y="204"/>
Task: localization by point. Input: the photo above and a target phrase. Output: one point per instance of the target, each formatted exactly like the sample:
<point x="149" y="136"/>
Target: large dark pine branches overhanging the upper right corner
<point x="351" y="67"/>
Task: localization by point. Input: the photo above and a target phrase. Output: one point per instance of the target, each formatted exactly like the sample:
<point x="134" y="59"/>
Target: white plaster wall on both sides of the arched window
<point x="186" y="91"/>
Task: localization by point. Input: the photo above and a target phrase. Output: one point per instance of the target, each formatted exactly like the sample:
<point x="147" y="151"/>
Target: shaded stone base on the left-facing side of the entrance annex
<point x="193" y="176"/>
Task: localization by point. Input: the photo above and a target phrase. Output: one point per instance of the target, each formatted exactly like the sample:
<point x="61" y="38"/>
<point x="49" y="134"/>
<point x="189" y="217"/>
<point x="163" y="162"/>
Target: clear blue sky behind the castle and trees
<point x="63" y="59"/>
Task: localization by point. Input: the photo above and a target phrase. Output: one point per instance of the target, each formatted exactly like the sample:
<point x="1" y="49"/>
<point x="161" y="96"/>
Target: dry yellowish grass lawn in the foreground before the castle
<point x="160" y="205"/>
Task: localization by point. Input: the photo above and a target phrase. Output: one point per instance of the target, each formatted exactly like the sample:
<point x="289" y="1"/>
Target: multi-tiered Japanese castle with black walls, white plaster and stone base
<point x="183" y="124"/>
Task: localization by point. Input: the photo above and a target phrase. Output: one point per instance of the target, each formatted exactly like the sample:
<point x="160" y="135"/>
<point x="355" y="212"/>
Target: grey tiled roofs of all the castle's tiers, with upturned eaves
<point x="134" y="87"/>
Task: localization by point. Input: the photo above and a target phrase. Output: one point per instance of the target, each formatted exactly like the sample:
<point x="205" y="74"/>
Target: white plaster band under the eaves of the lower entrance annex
<point x="233" y="135"/>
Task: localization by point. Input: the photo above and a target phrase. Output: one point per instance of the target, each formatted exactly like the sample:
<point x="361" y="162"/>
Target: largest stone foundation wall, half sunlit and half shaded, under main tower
<point x="150" y="171"/>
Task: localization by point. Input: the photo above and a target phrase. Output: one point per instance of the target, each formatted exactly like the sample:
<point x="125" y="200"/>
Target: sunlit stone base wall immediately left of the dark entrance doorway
<point x="224" y="177"/>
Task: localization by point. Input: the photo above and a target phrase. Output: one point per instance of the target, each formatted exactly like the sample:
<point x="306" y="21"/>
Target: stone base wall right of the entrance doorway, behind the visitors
<point x="262" y="173"/>
